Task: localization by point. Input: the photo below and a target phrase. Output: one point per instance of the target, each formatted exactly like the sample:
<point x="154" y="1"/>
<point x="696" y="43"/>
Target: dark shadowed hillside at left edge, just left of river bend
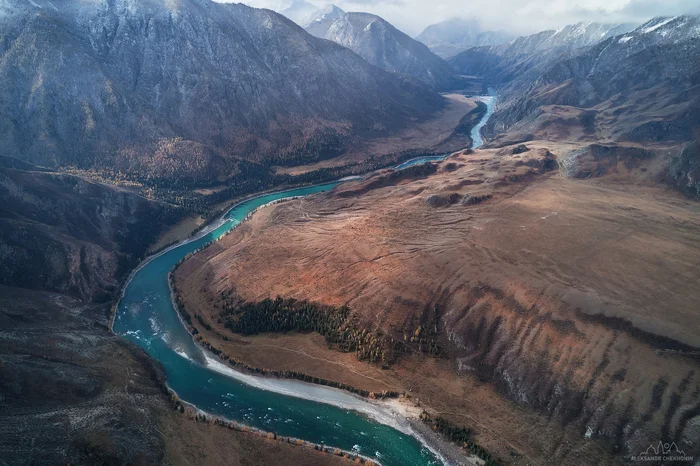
<point x="61" y="233"/>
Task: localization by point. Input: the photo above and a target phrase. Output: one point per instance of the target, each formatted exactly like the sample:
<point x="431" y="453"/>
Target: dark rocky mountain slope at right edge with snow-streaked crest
<point x="641" y="86"/>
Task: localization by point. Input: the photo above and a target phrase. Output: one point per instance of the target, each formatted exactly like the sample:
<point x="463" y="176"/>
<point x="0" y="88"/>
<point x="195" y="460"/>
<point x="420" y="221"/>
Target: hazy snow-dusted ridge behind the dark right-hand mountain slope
<point x="501" y="63"/>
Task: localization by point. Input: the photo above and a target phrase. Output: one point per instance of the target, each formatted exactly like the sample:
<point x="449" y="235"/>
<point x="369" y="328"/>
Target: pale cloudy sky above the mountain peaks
<point x="519" y="16"/>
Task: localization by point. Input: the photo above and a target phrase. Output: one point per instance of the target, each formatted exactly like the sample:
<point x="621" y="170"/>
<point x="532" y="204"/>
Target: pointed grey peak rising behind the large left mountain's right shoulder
<point x="384" y="46"/>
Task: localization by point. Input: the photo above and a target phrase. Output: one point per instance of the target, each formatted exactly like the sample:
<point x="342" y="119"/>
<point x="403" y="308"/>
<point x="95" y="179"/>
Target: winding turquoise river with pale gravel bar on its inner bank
<point x="146" y="316"/>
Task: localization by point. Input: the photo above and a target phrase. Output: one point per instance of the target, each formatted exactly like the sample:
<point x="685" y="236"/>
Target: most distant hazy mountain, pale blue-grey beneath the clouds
<point x="450" y="37"/>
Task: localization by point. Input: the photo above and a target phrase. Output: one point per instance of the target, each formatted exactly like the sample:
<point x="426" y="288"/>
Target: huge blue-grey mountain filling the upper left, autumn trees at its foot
<point x="161" y="90"/>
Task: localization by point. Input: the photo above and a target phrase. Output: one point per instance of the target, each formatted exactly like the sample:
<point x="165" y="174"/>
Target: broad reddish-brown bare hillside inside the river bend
<point x="564" y="306"/>
